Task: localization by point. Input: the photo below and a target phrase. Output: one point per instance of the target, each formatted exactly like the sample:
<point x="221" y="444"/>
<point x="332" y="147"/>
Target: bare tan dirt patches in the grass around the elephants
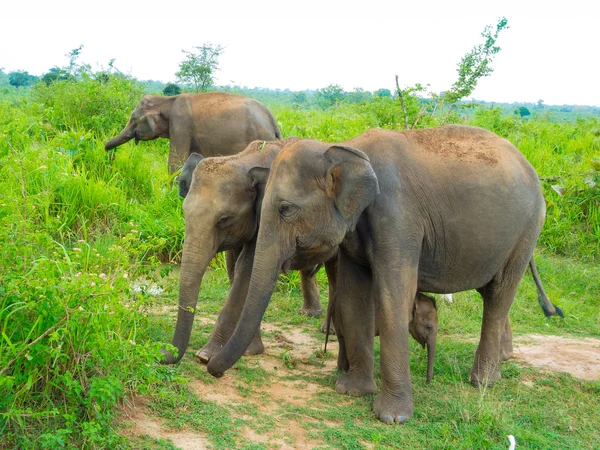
<point x="579" y="357"/>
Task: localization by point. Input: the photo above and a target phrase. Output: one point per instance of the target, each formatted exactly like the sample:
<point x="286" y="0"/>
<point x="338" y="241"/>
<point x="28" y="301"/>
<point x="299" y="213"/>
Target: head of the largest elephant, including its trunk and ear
<point x="314" y="196"/>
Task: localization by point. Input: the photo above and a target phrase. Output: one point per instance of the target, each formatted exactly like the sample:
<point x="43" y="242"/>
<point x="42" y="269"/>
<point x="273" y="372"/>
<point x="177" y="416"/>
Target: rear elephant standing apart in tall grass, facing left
<point x="212" y="124"/>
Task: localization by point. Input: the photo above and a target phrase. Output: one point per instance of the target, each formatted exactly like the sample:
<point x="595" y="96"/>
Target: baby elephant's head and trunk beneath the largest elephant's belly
<point x="424" y="327"/>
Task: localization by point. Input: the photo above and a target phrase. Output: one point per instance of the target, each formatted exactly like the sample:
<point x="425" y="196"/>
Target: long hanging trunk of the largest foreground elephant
<point x="267" y="265"/>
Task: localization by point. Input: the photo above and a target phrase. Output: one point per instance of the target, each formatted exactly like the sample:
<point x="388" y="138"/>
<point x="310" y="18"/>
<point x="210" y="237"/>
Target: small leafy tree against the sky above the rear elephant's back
<point x="199" y="67"/>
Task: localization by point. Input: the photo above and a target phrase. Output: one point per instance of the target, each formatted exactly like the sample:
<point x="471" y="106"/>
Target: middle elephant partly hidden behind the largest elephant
<point x="221" y="209"/>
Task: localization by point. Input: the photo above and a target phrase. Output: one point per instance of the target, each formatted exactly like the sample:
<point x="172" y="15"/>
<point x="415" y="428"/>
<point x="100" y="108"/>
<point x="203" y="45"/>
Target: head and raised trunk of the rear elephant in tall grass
<point x="149" y="120"/>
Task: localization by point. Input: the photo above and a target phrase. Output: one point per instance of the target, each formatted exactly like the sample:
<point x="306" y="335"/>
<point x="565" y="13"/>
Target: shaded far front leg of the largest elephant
<point x="354" y="316"/>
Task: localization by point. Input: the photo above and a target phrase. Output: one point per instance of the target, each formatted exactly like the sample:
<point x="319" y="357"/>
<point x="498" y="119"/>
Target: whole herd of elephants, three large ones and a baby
<point x="390" y="214"/>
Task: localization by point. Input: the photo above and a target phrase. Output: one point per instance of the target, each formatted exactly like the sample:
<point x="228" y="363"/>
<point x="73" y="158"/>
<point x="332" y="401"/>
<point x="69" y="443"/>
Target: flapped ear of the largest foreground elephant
<point x="350" y="181"/>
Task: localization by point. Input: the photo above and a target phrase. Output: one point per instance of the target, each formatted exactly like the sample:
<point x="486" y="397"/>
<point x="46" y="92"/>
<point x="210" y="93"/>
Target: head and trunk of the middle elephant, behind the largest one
<point x="221" y="209"/>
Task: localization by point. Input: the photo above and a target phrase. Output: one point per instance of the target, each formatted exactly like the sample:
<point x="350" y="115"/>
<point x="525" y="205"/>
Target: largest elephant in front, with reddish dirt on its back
<point x="437" y="210"/>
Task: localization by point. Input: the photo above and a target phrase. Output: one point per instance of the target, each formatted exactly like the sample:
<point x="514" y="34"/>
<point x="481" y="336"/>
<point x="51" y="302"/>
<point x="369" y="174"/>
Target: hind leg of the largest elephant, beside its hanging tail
<point x="496" y="338"/>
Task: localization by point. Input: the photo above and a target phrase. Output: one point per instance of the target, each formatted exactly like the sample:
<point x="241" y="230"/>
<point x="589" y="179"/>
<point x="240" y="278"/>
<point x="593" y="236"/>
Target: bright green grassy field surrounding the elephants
<point x="89" y="289"/>
